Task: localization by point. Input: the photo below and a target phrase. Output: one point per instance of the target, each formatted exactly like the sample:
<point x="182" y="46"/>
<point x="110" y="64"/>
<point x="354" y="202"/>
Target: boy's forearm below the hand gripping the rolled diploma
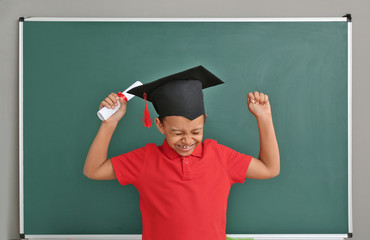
<point x="99" y="148"/>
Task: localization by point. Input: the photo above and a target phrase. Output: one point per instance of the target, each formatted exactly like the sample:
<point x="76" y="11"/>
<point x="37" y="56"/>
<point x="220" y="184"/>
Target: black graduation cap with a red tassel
<point x="179" y="94"/>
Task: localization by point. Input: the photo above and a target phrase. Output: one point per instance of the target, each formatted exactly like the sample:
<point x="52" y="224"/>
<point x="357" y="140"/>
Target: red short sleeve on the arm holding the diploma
<point x="128" y="166"/>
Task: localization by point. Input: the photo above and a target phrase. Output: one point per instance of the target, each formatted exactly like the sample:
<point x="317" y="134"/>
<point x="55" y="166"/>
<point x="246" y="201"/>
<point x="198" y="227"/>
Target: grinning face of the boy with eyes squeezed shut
<point x="183" y="135"/>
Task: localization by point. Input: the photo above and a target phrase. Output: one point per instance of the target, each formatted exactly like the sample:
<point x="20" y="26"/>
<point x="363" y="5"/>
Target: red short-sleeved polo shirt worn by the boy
<point x="182" y="198"/>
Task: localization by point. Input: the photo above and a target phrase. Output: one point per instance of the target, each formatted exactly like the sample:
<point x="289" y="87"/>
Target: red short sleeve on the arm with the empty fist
<point x="236" y="163"/>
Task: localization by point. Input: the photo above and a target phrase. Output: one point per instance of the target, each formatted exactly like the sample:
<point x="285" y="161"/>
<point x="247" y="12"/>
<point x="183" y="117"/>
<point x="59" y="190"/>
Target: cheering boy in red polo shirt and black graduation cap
<point x="184" y="183"/>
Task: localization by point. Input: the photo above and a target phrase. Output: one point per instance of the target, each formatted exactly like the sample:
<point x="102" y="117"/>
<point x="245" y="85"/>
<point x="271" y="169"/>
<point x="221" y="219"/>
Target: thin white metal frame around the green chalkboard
<point x="346" y="18"/>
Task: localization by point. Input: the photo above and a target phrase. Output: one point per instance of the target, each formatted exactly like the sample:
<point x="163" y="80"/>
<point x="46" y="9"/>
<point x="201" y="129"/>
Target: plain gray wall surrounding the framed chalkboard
<point x="11" y="10"/>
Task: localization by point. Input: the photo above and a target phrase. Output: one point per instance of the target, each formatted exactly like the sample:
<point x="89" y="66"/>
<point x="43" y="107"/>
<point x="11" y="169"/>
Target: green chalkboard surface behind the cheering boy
<point x="70" y="67"/>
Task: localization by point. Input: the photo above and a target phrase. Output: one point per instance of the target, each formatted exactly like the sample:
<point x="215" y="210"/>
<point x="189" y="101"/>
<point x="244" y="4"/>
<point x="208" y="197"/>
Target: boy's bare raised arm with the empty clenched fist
<point x="268" y="166"/>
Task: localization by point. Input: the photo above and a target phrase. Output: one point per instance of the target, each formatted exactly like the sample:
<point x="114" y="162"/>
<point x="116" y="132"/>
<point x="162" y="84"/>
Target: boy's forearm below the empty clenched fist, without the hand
<point x="269" y="150"/>
